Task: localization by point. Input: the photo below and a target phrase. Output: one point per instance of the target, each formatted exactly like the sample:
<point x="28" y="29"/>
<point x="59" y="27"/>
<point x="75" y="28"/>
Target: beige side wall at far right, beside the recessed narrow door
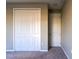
<point x="66" y="41"/>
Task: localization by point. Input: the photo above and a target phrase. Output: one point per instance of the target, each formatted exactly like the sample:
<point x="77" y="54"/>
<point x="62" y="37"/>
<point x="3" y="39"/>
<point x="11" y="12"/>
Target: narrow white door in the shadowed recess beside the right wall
<point x="55" y="30"/>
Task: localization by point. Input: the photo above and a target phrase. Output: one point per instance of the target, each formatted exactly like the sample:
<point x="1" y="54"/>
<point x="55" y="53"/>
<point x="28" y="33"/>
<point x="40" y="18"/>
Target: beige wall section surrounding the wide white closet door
<point x="44" y="23"/>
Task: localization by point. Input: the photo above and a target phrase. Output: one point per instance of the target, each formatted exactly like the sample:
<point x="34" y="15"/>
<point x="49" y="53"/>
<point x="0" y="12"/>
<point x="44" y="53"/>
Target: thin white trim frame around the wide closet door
<point x="14" y="25"/>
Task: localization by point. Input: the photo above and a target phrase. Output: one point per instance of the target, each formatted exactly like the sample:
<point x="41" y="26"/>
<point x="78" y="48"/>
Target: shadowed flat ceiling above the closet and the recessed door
<point x="53" y="4"/>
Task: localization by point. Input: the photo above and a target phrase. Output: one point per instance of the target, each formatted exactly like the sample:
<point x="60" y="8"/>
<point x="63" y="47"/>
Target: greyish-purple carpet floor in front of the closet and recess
<point x="53" y="53"/>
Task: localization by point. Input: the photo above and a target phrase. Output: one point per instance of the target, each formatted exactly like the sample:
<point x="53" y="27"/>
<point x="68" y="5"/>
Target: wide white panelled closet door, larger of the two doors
<point x="27" y="29"/>
